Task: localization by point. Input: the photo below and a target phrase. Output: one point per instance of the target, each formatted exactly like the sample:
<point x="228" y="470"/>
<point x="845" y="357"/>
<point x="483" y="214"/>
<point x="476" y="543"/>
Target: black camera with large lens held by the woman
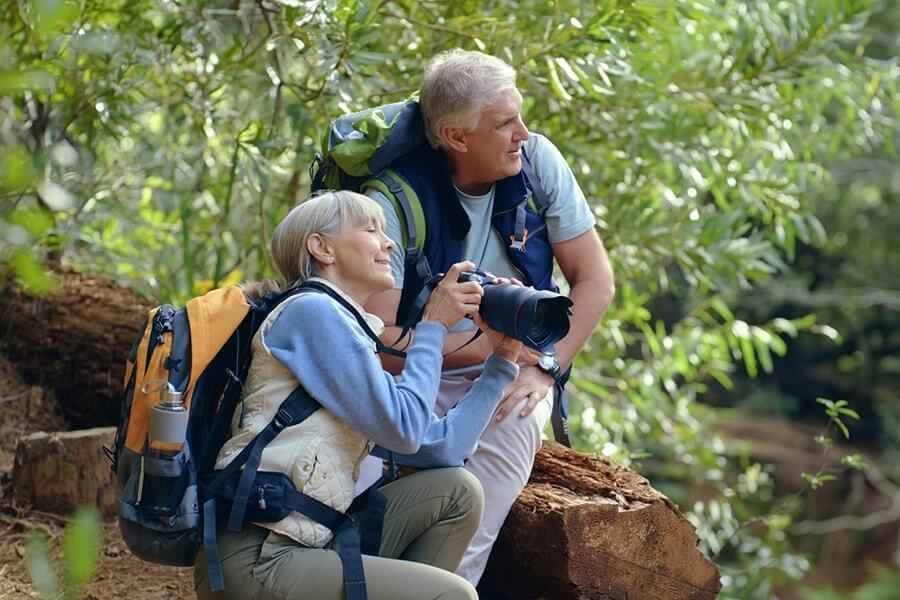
<point x="537" y="318"/>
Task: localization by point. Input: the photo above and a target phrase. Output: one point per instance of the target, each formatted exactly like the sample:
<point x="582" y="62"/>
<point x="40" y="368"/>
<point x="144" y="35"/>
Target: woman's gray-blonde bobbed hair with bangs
<point x="324" y="214"/>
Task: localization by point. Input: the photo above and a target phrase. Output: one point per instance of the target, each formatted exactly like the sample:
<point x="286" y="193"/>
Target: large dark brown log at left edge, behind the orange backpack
<point x="74" y="342"/>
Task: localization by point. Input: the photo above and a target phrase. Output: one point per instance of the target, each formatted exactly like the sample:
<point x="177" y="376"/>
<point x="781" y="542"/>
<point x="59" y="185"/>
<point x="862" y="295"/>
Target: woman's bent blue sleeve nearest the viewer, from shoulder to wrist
<point x="335" y="361"/>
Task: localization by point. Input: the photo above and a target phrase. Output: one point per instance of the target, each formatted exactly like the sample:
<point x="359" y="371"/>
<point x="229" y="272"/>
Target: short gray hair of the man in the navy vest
<point x="458" y="86"/>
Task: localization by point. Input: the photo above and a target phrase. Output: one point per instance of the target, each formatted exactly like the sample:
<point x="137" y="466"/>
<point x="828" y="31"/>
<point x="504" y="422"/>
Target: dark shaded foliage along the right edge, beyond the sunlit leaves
<point x="850" y="280"/>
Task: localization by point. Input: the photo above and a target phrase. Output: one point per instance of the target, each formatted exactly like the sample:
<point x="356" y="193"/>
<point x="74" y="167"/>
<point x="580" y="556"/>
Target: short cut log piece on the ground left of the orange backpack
<point x="60" y="471"/>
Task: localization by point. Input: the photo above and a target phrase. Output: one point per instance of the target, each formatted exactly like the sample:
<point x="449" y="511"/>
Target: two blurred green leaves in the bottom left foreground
<point x="81" y="550"/>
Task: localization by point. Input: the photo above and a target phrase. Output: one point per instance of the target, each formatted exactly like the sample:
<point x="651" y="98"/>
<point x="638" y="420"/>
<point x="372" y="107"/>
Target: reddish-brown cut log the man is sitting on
<point x="587" y="528"/>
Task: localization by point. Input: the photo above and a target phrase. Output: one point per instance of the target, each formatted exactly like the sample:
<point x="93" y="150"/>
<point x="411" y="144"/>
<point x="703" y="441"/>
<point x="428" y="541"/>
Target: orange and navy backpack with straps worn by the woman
<point x="183" y="384"/>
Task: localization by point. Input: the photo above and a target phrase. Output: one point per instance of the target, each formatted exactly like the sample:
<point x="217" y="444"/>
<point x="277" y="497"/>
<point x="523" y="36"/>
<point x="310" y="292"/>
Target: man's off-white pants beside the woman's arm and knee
<point x="502" y="463"/>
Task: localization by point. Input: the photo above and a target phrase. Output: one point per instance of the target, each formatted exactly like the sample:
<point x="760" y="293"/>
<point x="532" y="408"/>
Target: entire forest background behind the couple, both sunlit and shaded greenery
<point x="740" y="157"/>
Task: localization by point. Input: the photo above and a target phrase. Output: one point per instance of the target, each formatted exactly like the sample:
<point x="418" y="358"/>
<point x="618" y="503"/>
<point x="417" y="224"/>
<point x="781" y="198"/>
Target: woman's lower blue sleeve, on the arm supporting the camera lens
<point x="452" y="439"/>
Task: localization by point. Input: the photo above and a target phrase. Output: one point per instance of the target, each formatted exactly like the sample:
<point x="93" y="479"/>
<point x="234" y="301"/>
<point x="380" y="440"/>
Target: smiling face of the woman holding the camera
<point x="362" y="261"/>
